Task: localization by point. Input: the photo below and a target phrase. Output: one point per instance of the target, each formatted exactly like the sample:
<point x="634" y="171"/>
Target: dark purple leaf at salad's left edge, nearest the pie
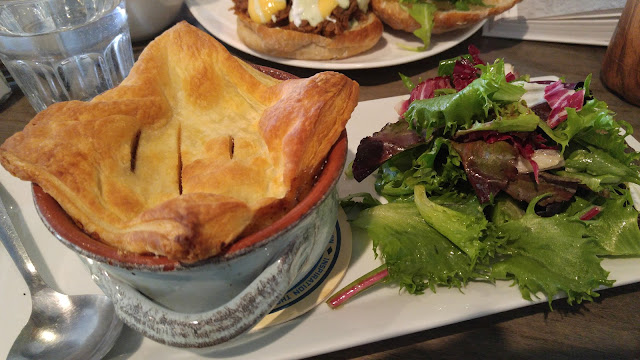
<point x="381" y="146"/>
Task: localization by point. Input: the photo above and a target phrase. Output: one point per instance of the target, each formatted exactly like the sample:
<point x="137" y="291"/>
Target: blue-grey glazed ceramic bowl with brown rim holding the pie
<point x="214" y="300"/>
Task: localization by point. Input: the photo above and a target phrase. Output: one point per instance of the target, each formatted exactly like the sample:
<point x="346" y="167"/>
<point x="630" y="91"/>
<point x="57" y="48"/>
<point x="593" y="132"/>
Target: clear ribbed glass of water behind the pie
<point x="59" y="50"/>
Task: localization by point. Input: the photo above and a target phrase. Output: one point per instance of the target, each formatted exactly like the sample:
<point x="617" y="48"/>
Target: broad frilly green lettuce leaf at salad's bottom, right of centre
<point x="552" y="255"/>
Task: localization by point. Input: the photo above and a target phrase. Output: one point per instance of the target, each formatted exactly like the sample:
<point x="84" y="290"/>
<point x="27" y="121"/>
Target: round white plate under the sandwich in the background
<point x="219" y="20"/>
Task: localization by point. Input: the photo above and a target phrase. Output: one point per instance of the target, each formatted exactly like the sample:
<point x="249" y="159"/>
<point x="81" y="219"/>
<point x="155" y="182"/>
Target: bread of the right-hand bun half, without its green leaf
<point x="446" y="18"/>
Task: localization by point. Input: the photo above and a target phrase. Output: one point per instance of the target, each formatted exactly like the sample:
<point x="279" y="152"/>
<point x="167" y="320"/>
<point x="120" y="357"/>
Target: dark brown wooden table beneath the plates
<point x="608" y="328"/>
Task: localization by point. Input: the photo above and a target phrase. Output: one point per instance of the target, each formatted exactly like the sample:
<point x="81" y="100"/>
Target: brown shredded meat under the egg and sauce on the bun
<point x="339" y="23"/>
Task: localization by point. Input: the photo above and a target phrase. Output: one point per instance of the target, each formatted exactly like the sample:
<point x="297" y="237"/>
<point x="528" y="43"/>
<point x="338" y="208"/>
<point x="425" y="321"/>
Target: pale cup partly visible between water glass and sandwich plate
<point x="148" y="18"/>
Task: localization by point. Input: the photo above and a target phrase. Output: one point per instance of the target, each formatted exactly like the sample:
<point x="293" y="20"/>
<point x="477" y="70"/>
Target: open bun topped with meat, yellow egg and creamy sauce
<point x="307" y="29"/>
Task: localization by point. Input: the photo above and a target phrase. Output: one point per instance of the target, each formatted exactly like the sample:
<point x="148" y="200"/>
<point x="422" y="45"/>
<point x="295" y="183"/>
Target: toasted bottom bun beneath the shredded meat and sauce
<point x="307" y="46"/>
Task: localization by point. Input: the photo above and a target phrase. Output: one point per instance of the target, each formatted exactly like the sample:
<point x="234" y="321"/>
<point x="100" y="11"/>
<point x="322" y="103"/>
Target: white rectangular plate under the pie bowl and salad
<point x="380" y="313"/>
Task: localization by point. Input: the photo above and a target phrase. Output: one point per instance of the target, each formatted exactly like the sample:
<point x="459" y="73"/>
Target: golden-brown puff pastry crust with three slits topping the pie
<point x="192" y="150"/>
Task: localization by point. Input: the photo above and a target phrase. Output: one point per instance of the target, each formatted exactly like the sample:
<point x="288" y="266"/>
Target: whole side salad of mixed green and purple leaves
<point x="484" y="180"/>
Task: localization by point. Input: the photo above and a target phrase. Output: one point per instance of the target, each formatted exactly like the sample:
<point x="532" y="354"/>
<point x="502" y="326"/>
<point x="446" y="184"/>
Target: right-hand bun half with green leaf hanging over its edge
<point x="426" y="17"/>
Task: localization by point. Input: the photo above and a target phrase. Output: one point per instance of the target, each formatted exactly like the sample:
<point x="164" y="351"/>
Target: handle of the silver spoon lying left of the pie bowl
<point x="18" y="253"/>
